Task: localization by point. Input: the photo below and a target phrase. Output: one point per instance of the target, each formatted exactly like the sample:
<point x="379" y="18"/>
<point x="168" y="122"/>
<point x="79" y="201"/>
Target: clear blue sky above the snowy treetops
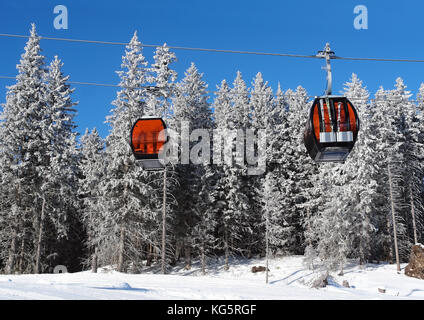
<point x="301" y="27"/>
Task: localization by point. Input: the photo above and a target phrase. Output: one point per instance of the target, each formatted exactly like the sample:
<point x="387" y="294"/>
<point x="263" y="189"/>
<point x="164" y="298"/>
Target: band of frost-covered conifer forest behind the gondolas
<point x="84" y="202"/>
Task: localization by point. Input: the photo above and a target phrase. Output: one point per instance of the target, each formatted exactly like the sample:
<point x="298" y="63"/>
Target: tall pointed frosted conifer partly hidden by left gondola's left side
<point x="125" y="191"/>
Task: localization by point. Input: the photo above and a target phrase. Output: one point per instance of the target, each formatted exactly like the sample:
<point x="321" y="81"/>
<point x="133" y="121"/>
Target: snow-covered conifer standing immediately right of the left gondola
<point x="190" y="107"/>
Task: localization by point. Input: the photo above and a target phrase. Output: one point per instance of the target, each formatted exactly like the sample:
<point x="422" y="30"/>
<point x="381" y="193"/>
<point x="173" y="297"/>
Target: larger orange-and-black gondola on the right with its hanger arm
<point x="333" y="122"/>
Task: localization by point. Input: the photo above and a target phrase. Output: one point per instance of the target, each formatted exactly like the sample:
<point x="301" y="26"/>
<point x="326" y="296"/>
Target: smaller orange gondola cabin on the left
<point x="147" y="138"/>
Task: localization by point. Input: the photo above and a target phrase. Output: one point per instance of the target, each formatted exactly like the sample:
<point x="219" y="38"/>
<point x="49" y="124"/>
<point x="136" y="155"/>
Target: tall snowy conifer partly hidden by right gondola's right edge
<point x="359" y="175"/>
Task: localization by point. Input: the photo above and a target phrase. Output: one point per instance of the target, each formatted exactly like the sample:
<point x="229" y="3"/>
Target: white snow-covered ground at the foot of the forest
<point x="288" y="279"/>
